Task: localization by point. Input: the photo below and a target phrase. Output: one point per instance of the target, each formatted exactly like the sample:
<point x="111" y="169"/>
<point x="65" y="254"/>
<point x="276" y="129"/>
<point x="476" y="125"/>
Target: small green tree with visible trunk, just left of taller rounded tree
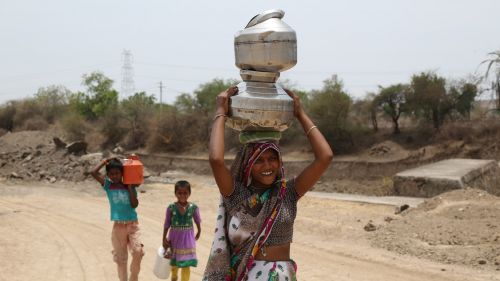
<point x="392" y="101"/>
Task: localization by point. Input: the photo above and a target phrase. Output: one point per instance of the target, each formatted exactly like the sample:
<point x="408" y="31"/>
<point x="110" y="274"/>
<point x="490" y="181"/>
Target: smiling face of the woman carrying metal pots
<point x="265" y="169"/>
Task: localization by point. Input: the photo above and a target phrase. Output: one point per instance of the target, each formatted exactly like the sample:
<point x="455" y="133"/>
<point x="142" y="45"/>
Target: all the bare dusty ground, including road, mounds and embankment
<point x="55" y="226"/>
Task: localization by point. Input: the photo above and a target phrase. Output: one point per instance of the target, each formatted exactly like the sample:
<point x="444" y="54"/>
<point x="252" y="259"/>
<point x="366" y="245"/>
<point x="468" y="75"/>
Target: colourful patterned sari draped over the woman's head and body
<point x="234" y="262"/>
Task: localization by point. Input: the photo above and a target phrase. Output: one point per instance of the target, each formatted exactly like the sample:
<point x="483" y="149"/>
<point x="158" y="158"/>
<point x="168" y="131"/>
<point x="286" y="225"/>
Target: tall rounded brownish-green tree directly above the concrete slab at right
<point x="428" y="98"/>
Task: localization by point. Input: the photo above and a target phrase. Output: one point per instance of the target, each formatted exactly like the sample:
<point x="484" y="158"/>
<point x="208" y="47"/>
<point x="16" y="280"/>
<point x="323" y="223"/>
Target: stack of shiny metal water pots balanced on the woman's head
<point x="264" y="48"/>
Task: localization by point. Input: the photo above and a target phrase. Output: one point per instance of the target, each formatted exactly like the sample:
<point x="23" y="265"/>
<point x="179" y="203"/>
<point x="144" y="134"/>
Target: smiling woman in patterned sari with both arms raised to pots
<point x="254" y="225"/>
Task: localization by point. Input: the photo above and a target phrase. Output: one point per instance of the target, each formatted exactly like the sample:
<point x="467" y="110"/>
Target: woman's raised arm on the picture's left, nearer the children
<point x="221" y="173"/>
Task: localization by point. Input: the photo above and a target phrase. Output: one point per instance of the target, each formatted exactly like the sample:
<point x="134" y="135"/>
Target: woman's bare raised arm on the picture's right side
<point x="322" y="152"/>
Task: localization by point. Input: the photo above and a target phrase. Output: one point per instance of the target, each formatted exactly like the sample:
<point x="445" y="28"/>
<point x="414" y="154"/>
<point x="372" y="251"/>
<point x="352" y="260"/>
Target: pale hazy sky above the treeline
<point x="186" y="43"/>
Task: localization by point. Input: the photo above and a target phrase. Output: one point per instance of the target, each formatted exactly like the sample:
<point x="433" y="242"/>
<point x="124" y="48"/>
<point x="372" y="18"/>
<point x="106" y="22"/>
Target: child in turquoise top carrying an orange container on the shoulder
<point x="123" y="201"/>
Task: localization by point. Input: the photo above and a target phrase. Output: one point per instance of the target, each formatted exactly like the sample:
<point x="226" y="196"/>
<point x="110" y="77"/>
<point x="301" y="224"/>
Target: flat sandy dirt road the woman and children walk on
<point x="62" y="232"/>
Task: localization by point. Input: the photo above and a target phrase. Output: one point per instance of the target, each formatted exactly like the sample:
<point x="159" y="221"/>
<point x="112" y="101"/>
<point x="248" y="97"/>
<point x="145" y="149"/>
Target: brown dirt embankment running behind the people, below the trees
<point x="33" y="156"/>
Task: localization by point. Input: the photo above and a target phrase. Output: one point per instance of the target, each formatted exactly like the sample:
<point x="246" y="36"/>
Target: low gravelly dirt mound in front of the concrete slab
<point x="458" y="227"/>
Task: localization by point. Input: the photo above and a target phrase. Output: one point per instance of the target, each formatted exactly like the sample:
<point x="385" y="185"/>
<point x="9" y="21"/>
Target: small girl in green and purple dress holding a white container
<point x="181" y="239"/>
